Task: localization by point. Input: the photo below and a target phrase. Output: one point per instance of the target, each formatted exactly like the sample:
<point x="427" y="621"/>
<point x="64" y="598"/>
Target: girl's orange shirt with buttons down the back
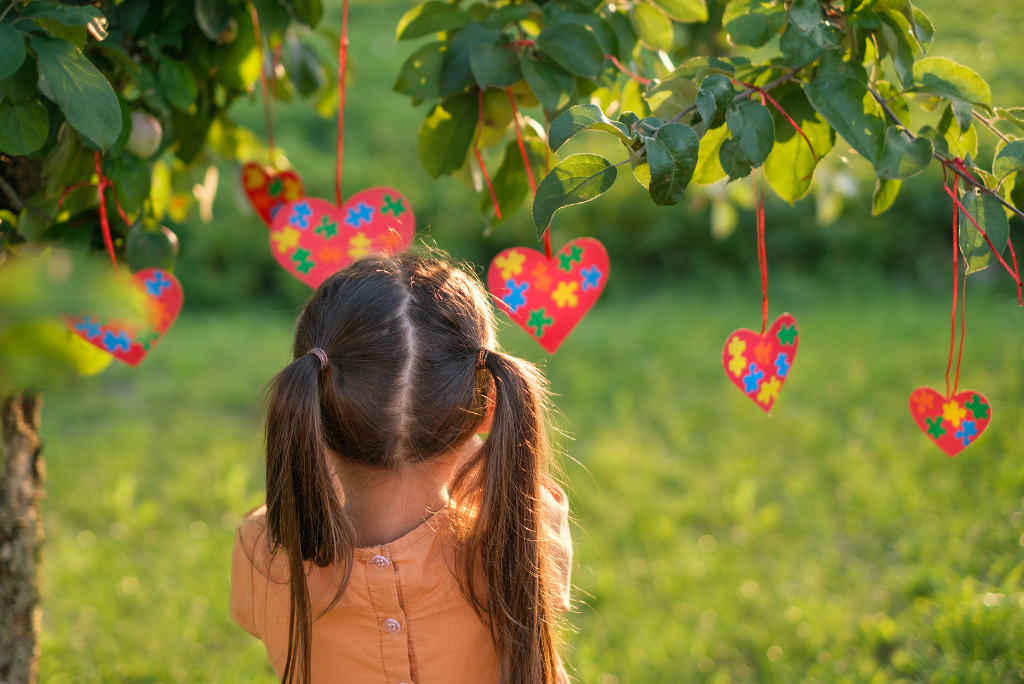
<point x="403" y="619"/>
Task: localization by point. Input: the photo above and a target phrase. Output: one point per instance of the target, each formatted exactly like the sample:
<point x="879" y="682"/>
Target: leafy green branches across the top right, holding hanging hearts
<point x="633" y="71"/>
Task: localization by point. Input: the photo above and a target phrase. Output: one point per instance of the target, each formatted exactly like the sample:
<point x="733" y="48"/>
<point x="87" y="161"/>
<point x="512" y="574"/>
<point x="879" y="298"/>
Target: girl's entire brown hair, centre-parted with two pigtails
<point x="402" y="386"/>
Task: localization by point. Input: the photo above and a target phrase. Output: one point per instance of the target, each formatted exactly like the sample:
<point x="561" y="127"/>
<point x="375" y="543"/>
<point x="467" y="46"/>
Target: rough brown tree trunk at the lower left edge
<point x="22" y="483"/>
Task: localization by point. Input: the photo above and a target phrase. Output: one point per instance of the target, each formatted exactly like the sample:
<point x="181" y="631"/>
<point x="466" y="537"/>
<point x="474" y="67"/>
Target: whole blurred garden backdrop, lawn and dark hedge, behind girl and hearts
<point x="830" y="542"/>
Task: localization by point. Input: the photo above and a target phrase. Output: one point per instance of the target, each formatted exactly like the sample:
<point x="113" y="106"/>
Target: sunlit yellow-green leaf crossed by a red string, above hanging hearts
<point x="791" y="165"/>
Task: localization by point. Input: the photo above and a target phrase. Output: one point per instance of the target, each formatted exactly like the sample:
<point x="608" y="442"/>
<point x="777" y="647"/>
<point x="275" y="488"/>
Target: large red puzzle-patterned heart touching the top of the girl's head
<point x="314" y="239"/>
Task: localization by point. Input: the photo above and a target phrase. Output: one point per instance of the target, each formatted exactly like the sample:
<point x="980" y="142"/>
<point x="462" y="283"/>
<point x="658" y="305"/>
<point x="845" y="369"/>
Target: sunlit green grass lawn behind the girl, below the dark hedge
<point x="829" y="542"/>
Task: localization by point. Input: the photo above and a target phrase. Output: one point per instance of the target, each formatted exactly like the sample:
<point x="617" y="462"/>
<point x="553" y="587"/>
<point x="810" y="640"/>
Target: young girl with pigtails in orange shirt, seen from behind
<point x="396" y="546"/>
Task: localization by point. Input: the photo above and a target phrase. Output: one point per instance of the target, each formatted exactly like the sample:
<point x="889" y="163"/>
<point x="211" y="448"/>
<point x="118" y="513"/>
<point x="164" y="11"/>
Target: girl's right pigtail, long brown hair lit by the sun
<point x="505" y="548"/>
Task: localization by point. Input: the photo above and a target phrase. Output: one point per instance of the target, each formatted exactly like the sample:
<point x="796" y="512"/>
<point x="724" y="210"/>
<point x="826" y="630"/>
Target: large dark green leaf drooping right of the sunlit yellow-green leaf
<point x="839" y="94"/>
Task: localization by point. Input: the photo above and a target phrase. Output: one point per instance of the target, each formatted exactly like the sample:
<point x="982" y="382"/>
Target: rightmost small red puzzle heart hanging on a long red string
<point x="955" y="423"/>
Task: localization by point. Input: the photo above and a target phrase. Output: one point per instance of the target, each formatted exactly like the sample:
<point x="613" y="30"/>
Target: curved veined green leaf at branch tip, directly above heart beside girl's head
<point x="576" y="180"/>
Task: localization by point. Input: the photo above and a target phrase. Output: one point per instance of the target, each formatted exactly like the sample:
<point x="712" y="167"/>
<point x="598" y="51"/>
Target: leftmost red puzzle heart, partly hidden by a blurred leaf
<point x="131" y="341"/>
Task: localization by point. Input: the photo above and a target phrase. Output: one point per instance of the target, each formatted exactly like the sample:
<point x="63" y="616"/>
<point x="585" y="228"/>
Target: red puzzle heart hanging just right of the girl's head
<point x="549" y="298"/>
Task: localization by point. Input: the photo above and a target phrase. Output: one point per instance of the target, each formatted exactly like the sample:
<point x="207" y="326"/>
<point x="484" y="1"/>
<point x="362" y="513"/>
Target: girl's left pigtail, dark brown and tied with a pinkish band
<point x="304" y="512"/>
